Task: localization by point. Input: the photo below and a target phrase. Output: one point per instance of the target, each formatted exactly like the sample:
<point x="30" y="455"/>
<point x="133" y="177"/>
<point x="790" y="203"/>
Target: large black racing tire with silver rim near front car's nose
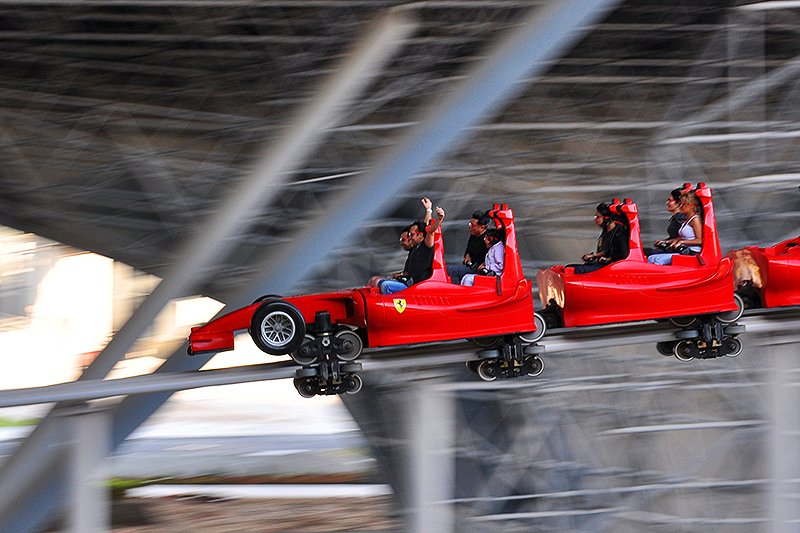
<point x="278" y="328"/>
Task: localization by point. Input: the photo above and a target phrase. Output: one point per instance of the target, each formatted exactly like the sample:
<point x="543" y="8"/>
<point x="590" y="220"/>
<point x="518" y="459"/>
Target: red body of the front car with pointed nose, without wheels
<point x="429" y="311"/>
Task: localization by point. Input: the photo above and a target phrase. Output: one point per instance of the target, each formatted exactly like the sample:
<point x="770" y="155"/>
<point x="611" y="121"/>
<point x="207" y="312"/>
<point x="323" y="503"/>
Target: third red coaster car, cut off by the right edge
<point x="768" y="277"/>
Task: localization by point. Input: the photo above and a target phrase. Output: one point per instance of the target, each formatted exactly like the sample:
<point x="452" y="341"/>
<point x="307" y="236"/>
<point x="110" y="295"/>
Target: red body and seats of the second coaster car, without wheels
<point x="633" y="289"/>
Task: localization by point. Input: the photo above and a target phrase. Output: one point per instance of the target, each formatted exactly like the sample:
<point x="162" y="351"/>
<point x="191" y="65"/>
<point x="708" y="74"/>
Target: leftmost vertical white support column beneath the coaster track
<point x="89" y="496"/>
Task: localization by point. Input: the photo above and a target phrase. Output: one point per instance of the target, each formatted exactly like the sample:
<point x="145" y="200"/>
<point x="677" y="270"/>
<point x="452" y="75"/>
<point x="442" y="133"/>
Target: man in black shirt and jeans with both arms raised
<point x="419" y="263"/>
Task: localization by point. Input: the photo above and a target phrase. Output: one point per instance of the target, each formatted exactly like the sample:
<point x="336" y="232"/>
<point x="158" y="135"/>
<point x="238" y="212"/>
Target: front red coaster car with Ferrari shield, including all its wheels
<point x="326" y="333"/>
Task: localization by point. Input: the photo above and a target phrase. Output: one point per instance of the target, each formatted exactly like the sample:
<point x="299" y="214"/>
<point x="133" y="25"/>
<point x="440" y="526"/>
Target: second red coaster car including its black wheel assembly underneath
<point x="695" y="293"/>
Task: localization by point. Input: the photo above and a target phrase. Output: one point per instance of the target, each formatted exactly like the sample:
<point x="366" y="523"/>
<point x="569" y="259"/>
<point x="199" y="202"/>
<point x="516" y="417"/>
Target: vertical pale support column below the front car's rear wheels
<point x="431" y="428"/>
